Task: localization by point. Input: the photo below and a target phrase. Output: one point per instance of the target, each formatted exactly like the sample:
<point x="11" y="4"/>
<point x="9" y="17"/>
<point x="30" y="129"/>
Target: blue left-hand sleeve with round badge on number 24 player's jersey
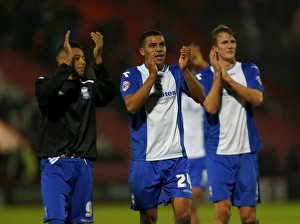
<point x="131" y="81"/>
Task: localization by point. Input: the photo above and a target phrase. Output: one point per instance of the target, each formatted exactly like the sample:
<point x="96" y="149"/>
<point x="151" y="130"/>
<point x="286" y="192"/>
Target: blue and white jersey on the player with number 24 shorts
<point x="156" y="129"/>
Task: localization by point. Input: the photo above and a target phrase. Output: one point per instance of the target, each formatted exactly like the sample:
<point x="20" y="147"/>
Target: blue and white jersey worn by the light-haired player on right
<point x="232" y="130"/>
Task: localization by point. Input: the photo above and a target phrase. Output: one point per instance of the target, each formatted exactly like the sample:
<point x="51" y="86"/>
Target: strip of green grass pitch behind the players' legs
<point x="283" y="213"/>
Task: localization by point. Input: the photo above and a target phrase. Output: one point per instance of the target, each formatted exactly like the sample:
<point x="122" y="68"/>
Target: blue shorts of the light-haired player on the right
<point x="234" y="178"/>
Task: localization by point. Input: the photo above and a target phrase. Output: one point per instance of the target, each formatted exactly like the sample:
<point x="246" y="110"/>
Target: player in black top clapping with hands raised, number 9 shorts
<point x="67" y="148"/>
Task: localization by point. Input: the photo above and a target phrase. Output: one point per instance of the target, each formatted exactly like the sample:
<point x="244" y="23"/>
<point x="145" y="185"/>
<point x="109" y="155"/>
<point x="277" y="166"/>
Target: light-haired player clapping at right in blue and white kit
<point x="232" y="141"/>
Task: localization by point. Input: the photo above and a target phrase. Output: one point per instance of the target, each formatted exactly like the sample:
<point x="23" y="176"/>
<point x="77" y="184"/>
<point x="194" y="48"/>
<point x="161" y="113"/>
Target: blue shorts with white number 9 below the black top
<point x="67" y="190"/>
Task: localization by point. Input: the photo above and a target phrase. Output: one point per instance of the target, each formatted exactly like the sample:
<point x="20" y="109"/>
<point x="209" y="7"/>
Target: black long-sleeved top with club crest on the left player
<point x="68" y="109"/>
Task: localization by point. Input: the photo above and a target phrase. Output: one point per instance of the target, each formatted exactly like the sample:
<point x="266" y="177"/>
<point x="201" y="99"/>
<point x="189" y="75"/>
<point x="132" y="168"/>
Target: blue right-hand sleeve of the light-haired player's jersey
<point x="252" y="76"/>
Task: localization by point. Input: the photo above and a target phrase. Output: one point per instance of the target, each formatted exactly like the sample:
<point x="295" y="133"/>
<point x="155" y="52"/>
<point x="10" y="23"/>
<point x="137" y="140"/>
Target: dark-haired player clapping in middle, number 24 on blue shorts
<point x="159" y="169"/>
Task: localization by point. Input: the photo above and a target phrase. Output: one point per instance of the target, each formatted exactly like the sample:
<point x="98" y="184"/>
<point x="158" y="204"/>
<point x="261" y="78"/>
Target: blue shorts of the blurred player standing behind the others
<point x="198" y="173"/>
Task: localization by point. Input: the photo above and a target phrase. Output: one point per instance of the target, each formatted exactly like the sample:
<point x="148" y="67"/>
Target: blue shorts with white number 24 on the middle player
<point x="153" y="182"/>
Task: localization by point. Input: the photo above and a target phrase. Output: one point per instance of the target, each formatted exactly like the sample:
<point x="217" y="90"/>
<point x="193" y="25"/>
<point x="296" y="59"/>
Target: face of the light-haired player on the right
<point x="226" y="47"/>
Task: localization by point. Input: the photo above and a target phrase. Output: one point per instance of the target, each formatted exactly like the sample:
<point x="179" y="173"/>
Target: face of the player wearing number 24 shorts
<point x="156" y="44"/>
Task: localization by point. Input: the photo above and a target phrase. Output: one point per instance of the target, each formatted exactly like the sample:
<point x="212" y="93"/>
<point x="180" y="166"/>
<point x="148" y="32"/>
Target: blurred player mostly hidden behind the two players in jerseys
<point x="193" y="123"/>
